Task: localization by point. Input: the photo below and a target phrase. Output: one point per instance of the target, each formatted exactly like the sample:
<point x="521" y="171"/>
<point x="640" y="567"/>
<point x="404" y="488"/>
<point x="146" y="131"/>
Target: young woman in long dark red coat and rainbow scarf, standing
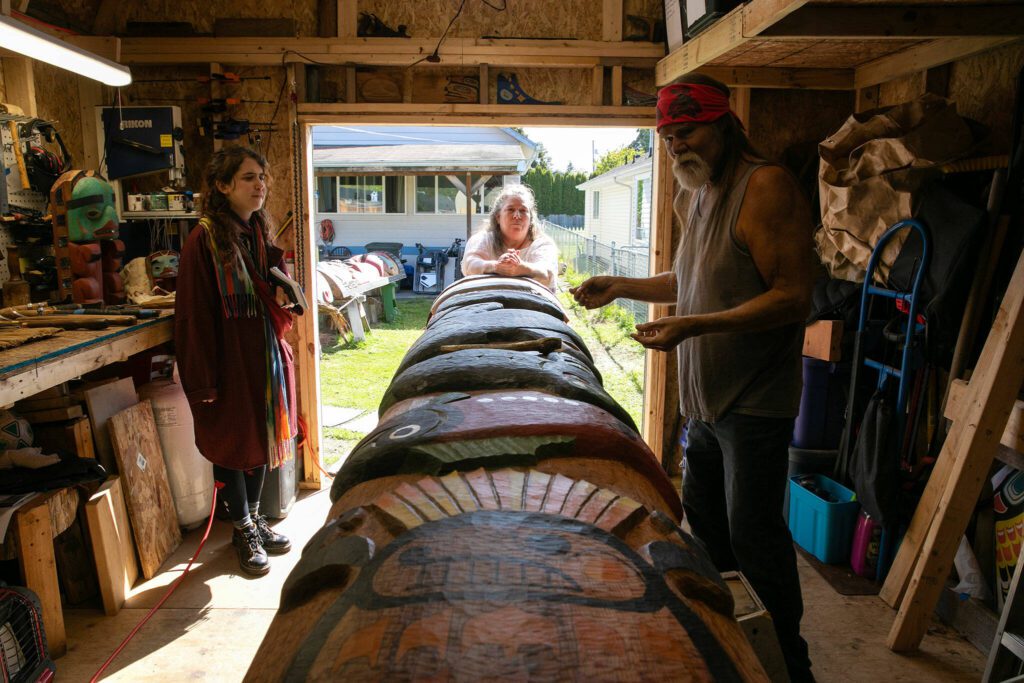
<point x="235" y="365"/>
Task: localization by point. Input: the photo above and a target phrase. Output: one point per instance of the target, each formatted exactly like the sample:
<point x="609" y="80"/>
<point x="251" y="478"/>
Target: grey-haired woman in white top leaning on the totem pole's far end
<point x="513" y="244"/>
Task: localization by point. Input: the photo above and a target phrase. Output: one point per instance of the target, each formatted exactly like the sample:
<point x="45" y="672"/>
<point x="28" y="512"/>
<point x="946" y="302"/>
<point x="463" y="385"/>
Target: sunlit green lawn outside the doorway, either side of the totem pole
<point x="357" y="375"/>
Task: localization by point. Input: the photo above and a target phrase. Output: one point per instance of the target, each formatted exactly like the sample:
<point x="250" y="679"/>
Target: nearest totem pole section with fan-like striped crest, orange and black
<point x="504" y="575"/>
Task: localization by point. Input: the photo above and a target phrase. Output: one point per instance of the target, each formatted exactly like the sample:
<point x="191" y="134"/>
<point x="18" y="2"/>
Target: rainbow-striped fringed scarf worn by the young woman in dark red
<point x="243" y="287"/>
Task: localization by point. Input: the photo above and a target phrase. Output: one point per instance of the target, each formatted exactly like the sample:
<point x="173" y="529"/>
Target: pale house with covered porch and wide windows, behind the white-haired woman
<point x="409" y="184"/>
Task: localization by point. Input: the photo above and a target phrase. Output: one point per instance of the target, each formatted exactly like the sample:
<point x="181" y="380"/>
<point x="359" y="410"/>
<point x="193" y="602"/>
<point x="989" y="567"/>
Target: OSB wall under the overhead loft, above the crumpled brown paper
<point x="983" y="87"/>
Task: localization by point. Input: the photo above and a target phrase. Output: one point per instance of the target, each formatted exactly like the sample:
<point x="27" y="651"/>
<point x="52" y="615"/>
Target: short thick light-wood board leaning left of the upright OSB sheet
<point x="113" y="550"/>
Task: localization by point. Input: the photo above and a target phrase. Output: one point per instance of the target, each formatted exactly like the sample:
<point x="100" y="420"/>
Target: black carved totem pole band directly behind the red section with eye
<point x="557" y="374"/>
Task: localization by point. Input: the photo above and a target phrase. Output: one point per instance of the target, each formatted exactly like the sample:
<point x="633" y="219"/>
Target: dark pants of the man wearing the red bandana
<point x="734" y="490"/>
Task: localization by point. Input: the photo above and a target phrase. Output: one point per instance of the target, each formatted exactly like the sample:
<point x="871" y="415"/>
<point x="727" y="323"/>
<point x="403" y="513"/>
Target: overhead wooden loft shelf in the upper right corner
<point x="826" y="46"/>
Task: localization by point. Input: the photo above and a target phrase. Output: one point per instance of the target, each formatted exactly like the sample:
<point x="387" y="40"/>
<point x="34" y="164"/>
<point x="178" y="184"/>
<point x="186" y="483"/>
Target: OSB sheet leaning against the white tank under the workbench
<point x="151" y="507"/>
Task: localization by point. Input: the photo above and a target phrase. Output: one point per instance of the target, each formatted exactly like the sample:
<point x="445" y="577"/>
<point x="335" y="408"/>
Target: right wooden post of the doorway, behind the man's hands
<point x="663" y="194"/>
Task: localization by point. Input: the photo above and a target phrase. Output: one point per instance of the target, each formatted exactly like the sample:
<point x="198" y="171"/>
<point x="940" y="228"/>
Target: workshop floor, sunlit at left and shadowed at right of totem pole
<point x="211" y="627"/>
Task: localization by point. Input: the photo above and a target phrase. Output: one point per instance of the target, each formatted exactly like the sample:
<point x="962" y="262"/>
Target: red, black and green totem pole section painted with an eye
<point x="461" y="432"/>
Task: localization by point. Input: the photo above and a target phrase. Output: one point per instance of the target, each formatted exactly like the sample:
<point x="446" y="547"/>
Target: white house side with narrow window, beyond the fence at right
<point x="618" y="205"/>
